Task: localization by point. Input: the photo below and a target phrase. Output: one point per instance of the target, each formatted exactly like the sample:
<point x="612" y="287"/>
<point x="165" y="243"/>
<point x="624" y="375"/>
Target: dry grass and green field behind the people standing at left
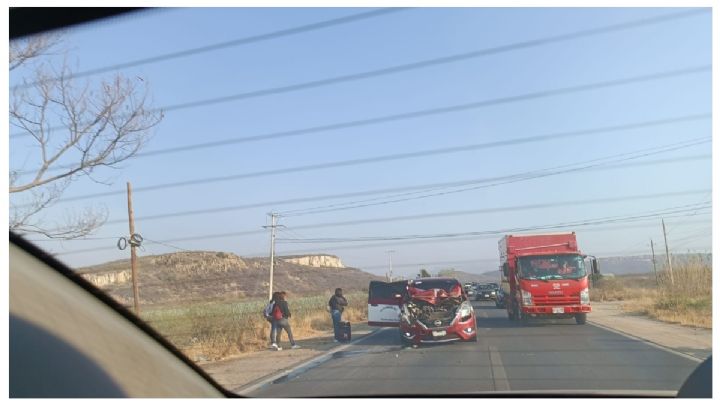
<point x="214" y="330"/>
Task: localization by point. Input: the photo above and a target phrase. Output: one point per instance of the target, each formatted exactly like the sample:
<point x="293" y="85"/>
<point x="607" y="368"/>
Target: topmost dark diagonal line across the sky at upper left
<point x="238" y="42"/>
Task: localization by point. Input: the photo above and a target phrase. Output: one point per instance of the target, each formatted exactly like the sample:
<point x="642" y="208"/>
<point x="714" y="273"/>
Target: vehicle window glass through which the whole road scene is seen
<point x="261" y="185"/>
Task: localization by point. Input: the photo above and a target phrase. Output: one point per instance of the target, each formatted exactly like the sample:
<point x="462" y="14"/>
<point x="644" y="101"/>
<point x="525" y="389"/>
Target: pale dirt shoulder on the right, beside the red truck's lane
<point x="696" y="342"/>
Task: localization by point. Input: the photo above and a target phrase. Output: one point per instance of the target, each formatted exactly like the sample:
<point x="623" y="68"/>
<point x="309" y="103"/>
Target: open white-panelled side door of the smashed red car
<point x="383" y="306"/>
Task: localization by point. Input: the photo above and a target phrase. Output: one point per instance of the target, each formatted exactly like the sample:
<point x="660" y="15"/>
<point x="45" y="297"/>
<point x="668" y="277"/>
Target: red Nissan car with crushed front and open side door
<point x="426" y="310"/>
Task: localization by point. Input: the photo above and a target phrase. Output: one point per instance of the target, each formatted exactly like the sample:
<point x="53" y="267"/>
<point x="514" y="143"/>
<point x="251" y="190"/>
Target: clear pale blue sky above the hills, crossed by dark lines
<point x="394" y="39"/>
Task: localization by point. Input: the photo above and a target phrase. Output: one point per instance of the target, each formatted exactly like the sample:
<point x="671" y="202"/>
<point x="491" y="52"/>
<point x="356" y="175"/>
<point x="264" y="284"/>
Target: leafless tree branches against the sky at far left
<point x="71" y="128"/>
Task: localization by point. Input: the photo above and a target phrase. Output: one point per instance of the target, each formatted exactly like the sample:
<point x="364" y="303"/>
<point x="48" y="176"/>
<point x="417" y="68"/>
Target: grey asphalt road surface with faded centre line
<point x="557" y="355"/>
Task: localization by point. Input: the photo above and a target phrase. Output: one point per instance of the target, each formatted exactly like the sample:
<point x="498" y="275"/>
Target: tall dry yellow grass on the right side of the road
<point x="685" y="299"/>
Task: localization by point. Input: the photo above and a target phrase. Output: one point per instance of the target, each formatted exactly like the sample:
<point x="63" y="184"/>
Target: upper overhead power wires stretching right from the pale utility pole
<point x="503" y="180"/>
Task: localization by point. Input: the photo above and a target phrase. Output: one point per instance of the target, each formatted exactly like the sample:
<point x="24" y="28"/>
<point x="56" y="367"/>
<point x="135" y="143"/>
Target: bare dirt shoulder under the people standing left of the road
<point x="238" y="371"/>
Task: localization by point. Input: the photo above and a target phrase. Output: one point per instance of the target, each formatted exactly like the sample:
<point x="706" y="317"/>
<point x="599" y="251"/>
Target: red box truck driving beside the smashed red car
<point x="544" y="276"/>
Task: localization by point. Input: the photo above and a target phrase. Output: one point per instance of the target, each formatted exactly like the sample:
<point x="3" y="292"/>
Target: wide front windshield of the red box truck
<point x="552" y="267"/>
